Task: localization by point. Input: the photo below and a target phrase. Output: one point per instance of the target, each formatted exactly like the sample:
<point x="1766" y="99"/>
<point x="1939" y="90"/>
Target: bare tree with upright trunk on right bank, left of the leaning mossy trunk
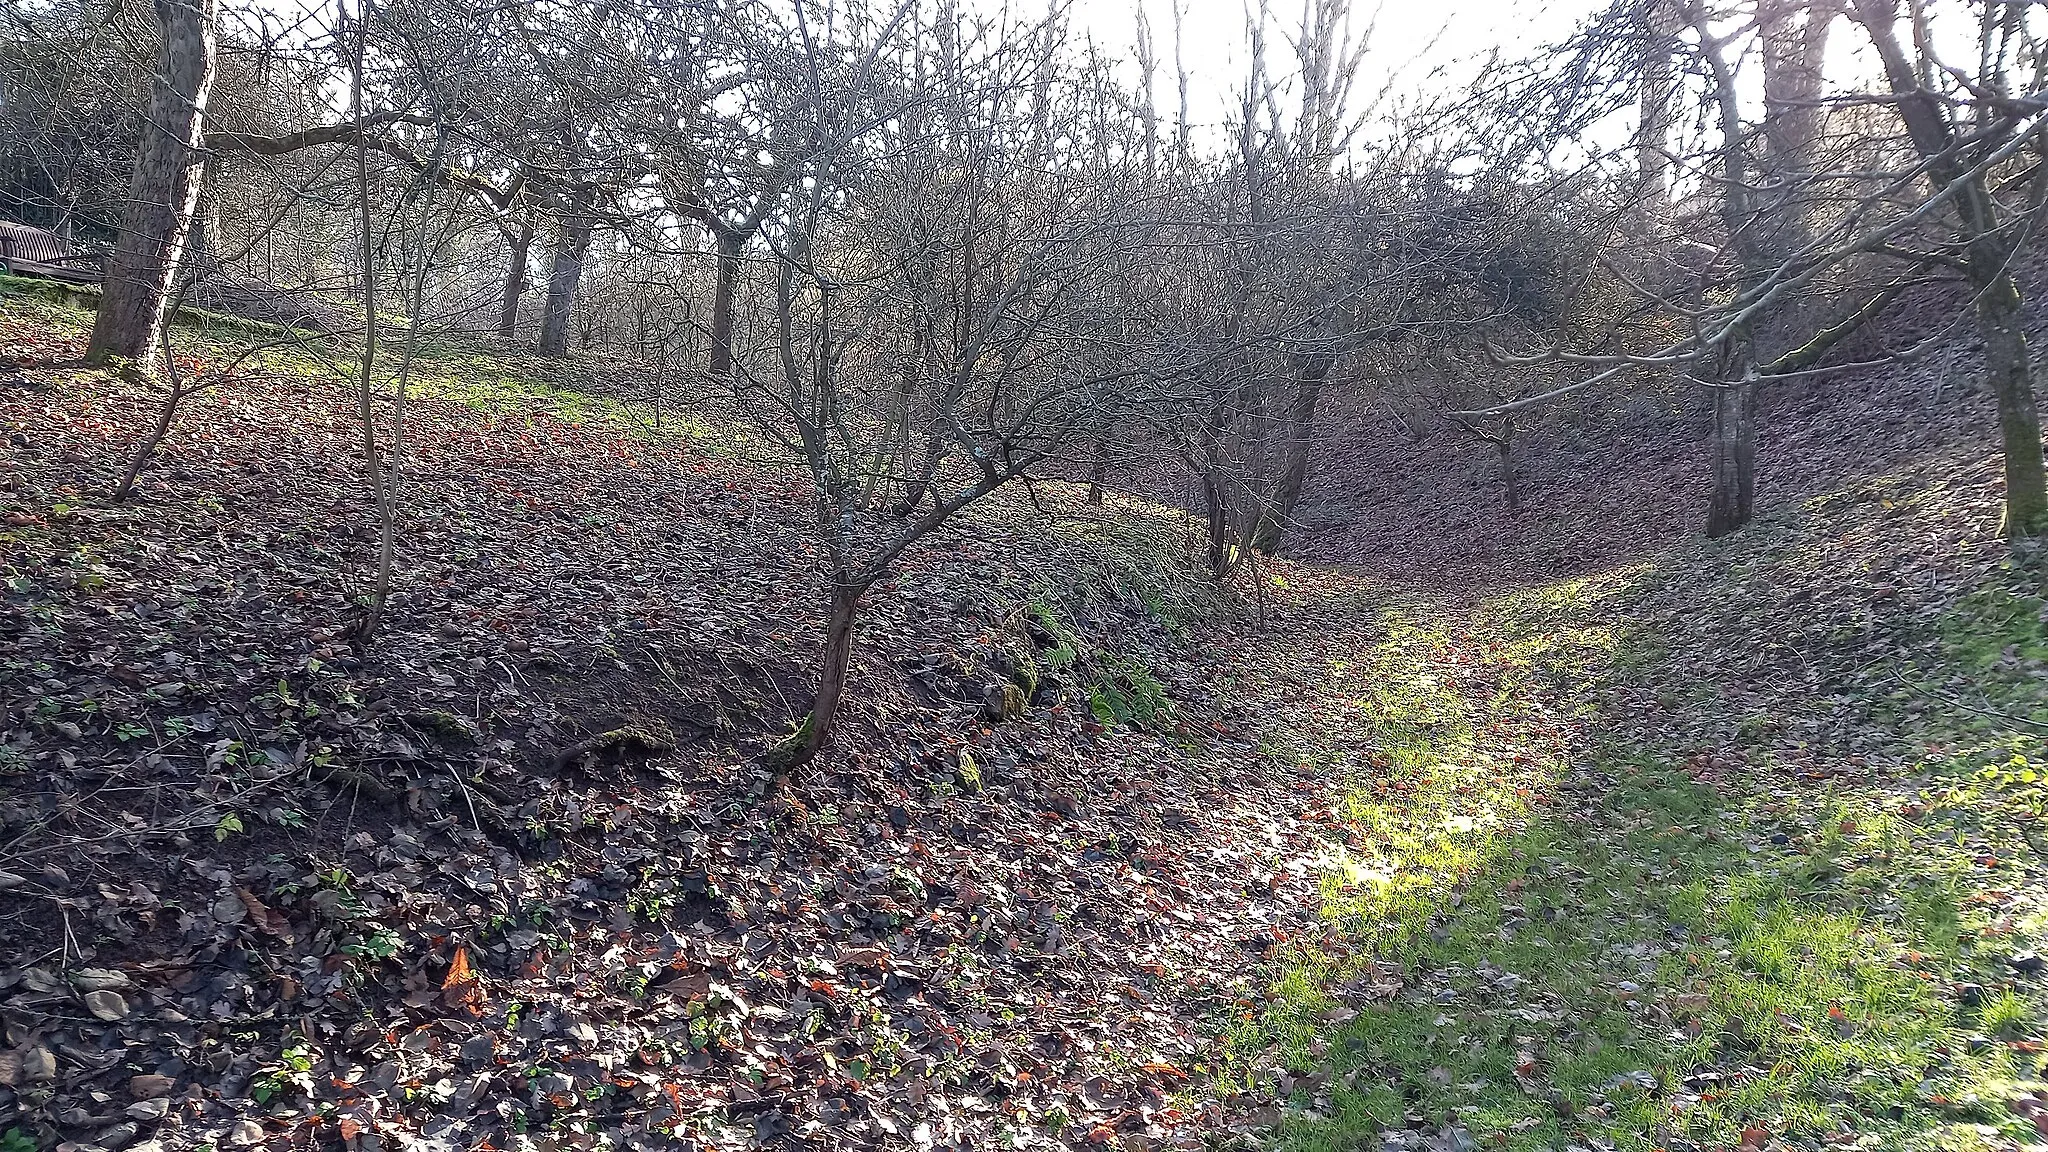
<point x="1762" y="290"/>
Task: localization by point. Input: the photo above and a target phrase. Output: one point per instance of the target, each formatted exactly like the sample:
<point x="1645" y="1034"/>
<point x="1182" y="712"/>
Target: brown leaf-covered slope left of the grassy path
<point x="275" y="860"/>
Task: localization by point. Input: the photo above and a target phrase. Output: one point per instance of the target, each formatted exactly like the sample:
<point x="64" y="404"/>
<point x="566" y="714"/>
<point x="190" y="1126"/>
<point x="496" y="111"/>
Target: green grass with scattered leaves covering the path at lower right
<point x="1555" y="936"/>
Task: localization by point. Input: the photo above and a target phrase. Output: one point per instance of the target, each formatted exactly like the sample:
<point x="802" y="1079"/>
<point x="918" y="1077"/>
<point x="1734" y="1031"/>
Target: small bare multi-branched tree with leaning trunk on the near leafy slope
<point x="1005" y="317"/>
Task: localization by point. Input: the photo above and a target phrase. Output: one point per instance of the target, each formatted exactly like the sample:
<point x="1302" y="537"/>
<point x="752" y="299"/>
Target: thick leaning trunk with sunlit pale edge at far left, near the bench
<point x="163" y="192"/>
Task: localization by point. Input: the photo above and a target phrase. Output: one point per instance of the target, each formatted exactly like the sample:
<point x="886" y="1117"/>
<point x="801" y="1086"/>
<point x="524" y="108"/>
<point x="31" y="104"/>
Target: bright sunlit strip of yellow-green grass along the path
<point x="1461" y="751"/>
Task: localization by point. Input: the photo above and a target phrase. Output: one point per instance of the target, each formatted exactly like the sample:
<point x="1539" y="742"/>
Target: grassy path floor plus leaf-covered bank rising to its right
<point x="1779" y="878"/>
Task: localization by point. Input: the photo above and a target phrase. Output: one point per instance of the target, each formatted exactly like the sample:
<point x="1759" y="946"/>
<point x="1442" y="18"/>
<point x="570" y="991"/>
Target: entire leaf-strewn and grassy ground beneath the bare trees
<point x="1695" y="848"/>
